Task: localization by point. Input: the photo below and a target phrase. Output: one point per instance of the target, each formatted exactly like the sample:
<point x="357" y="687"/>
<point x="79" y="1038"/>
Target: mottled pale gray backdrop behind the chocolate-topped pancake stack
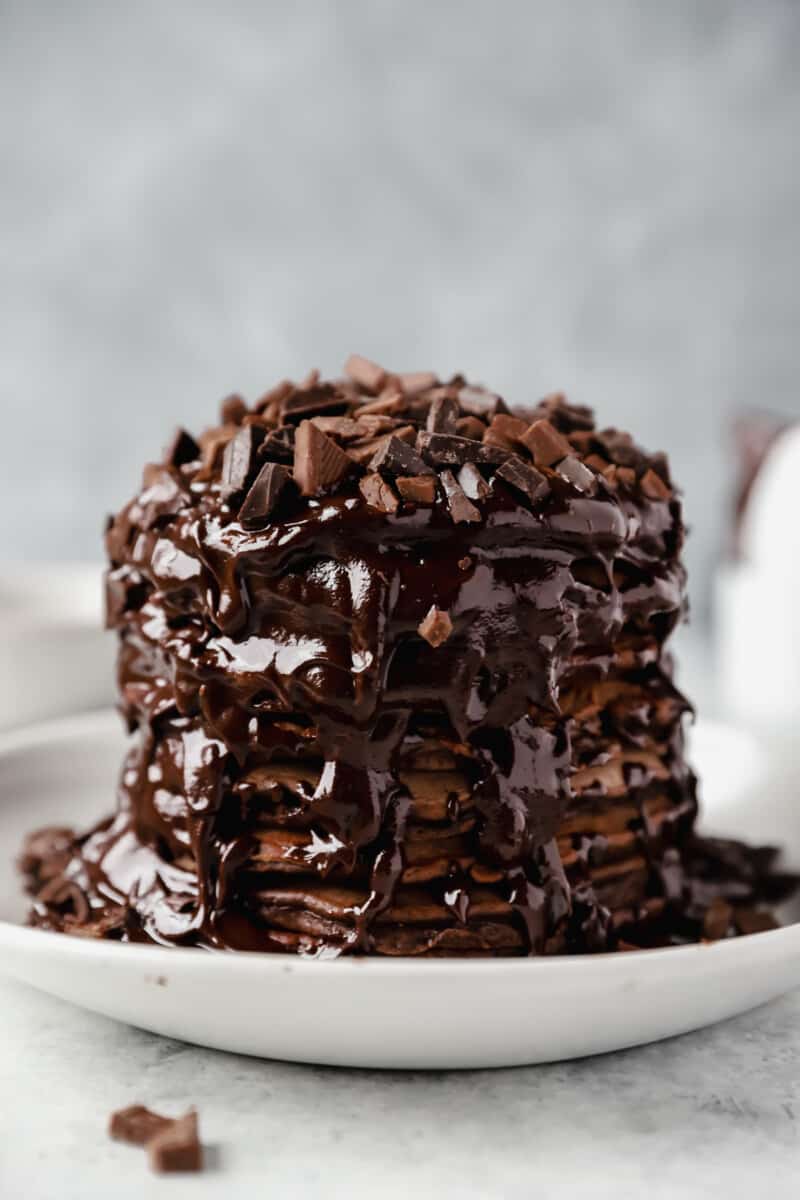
<point x="203" y="197"/>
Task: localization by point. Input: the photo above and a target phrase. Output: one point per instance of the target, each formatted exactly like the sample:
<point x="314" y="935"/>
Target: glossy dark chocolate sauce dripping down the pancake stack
<point x="298" y="644"/>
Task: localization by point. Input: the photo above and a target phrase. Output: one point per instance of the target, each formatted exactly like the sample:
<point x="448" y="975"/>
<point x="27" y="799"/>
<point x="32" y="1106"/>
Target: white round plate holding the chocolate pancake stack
<point x="376" y="1013"/>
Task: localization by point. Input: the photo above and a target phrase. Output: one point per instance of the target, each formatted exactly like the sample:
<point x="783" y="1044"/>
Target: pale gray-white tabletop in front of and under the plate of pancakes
<point x="712" y="1114"/>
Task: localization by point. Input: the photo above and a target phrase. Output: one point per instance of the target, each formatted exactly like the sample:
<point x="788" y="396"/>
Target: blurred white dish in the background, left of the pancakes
<point x="53" y="647"/>
